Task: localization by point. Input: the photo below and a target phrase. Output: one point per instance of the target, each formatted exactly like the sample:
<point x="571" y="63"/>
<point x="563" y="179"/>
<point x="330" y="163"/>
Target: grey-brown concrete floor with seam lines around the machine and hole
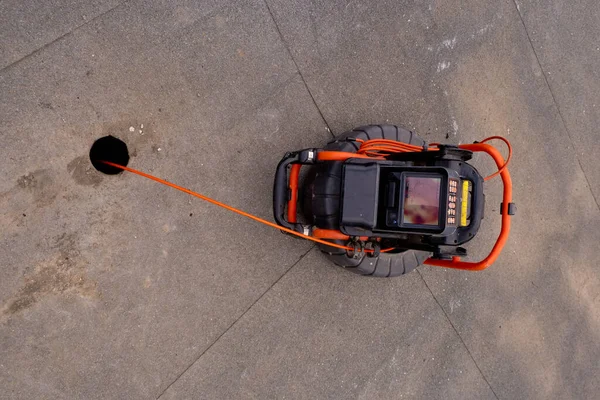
<point x="117" y="287"/>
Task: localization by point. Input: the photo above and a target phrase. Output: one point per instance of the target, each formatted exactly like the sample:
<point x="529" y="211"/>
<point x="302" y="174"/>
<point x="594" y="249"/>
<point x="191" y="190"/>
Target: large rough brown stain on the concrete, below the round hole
<point x="62" y="274"/>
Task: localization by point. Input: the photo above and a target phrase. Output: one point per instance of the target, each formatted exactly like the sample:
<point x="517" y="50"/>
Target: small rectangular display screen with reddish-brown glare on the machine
<point x="421" y="200"/>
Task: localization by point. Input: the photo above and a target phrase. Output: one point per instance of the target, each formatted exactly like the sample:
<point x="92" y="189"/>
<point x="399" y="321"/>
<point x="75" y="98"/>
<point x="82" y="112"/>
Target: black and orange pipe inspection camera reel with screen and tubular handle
<point x="380" y="201"/>
